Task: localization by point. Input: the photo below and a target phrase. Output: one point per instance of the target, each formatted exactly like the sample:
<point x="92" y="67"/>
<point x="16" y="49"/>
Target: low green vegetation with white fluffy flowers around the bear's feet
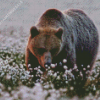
<point x="16" y="83"/>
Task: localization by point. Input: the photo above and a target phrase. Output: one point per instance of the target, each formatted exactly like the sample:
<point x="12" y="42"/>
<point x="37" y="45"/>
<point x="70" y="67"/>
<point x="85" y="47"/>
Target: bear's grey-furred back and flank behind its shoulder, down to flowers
<point x="86" y="34"/>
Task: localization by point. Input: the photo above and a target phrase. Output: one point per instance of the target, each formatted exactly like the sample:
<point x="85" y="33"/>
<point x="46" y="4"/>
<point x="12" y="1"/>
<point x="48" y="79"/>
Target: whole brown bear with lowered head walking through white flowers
<point x="60" y="35"/>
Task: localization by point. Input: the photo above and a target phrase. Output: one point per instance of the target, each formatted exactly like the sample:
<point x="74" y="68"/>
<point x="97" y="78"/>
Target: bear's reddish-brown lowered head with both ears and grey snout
<point x="45" y="44"/>
